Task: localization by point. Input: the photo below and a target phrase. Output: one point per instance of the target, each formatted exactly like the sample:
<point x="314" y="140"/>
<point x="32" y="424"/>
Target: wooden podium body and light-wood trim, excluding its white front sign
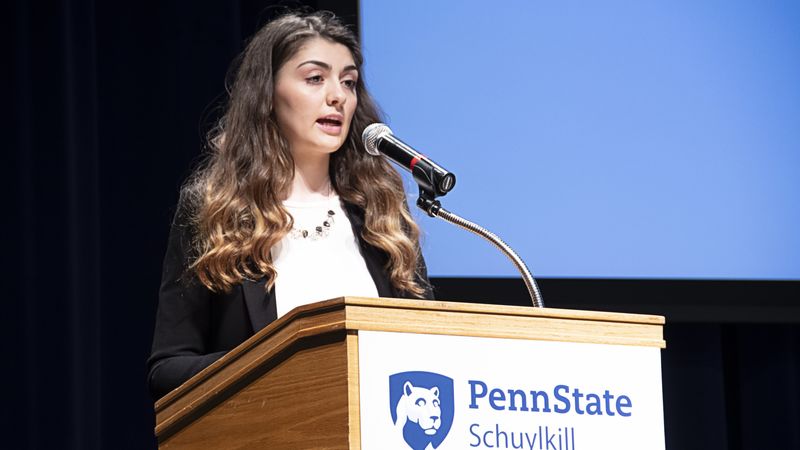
<point x="295" y="384"/>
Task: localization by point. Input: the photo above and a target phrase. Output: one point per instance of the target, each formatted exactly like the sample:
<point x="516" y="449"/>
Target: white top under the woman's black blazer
<point x="322" y="265"/>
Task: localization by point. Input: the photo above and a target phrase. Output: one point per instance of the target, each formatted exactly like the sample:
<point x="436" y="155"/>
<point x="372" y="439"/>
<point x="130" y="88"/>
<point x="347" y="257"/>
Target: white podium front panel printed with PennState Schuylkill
<point x="421" y="391"/>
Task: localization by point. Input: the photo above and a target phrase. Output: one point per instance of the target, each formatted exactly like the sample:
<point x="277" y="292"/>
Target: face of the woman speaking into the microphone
<point x="315" y="98"/>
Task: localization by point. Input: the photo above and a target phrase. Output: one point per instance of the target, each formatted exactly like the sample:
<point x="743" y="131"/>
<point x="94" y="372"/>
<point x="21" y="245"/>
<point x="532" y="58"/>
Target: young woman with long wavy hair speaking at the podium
<point x="288" y="209"/>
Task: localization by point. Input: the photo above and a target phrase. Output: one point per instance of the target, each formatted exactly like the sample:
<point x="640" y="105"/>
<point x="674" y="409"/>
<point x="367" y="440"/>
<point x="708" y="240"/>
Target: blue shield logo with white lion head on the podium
<point x="422" y="408"/>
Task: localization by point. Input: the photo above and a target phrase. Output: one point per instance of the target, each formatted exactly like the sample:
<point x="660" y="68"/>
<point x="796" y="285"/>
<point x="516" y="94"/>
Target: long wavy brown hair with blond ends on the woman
<point x="236" y="194"/>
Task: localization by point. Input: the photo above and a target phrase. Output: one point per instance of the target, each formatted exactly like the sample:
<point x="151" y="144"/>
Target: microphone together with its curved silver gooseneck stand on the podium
<point x="433" y="182"/>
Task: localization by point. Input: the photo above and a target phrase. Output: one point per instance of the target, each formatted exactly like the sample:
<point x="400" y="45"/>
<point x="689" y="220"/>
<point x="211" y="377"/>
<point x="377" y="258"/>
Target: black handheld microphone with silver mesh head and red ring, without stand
<point x="431" y="177"/>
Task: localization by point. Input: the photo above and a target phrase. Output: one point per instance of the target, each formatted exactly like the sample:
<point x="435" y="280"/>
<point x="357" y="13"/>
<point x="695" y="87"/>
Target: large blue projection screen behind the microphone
<point x="614" y="139"/>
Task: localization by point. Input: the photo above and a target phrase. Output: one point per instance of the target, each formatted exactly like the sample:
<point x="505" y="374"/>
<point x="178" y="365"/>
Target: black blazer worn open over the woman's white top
<point x="195" y="326"/>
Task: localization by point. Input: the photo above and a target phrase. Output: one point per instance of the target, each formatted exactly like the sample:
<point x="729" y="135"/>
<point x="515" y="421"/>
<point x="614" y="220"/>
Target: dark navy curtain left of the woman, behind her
<point x="109" y="103"/>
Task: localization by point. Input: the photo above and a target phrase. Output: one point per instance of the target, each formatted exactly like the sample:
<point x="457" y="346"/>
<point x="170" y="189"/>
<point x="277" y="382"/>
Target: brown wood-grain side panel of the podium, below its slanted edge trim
<point x="300" y="403"/>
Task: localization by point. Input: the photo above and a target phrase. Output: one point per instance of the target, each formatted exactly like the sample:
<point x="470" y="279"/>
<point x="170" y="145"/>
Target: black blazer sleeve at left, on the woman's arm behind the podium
<point x="183" y="320"/>
